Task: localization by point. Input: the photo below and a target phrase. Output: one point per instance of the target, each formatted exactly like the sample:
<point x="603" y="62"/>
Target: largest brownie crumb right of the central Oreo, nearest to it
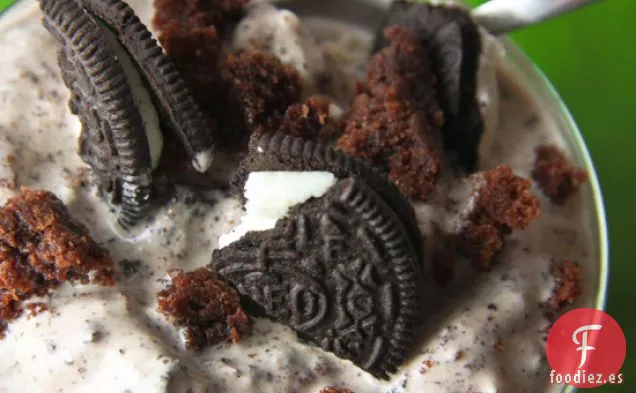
<point x="503" y="203"/>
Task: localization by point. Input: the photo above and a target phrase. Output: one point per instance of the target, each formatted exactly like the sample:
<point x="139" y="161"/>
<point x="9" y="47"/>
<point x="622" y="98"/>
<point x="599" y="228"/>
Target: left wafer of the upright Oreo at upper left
<point x="113" y="142"/>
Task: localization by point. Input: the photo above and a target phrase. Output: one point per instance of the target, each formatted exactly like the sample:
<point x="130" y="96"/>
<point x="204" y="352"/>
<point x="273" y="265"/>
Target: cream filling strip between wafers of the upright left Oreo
<point x="141" y="97"/>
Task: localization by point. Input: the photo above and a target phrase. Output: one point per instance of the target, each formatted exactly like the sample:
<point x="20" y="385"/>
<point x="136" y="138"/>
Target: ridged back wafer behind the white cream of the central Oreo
<point x="281" y="152"/>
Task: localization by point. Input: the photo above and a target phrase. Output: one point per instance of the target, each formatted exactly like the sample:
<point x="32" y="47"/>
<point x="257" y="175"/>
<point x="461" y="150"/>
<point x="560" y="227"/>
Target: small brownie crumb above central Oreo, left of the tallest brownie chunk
<point x="311" y="121"/>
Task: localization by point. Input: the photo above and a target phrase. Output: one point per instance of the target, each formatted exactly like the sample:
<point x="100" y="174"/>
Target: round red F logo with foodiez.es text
<point x="586" y="348"/>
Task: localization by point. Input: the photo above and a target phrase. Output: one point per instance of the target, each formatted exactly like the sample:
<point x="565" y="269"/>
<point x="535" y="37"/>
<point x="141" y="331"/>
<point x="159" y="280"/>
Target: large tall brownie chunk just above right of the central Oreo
<point x="394" y="121"/>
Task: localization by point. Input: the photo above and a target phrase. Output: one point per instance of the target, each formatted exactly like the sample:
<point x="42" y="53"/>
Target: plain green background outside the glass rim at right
<point x="590" y="57"/>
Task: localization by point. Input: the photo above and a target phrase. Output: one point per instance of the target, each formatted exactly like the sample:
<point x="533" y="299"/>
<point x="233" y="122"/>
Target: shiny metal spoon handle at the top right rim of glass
<point x="504" y="16"/>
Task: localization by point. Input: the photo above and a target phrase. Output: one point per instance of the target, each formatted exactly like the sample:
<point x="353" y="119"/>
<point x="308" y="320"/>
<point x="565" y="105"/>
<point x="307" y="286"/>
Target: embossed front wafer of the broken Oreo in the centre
<point x="339" y="269"/>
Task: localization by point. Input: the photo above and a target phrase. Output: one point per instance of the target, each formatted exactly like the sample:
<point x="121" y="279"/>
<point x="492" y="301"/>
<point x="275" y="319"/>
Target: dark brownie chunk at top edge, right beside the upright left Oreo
<point x="192" y="33"/>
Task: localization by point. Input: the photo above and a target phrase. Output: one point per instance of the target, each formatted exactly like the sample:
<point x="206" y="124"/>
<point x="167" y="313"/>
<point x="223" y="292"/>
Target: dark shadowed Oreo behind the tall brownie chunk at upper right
<point x="453" y="41"/>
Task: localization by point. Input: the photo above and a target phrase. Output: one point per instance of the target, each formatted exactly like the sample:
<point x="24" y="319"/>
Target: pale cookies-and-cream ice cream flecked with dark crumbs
<point x="484" y="332"/>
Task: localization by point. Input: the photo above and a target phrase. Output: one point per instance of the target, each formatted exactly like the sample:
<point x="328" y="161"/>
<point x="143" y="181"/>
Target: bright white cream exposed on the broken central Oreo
<point x="270" y="195"/>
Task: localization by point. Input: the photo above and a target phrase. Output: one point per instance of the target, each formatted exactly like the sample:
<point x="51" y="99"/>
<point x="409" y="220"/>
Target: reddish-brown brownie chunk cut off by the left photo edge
<point x="41" y="246"/>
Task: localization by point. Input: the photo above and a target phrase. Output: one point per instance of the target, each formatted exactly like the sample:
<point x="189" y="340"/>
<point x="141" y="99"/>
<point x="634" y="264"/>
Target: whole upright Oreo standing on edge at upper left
<point x="122" y="87"/>
